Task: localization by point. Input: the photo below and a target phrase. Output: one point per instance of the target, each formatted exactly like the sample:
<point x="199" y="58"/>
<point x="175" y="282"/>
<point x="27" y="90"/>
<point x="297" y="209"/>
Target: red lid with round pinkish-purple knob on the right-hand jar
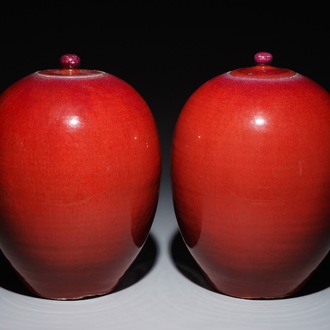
<point x="263" y="69"/>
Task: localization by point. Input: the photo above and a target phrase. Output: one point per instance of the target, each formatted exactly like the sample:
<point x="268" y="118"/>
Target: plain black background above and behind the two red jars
<point x="164" y="49"/>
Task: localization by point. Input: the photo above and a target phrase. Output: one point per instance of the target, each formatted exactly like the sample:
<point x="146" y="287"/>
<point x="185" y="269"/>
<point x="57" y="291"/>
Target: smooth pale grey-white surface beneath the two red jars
<point x="165" y="298"/>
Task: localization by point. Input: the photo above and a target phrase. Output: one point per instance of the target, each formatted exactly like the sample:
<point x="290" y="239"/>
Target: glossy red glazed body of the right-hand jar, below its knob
<point x="250" y="167"/>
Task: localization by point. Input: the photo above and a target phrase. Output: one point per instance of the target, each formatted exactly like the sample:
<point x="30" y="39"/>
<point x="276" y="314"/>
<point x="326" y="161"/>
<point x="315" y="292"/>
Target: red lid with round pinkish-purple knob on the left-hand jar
<point x="70" y="68"/>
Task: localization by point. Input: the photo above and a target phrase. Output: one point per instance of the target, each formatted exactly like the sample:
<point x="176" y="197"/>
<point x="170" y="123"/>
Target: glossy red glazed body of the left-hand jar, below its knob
<point x="80" y="168"/>
